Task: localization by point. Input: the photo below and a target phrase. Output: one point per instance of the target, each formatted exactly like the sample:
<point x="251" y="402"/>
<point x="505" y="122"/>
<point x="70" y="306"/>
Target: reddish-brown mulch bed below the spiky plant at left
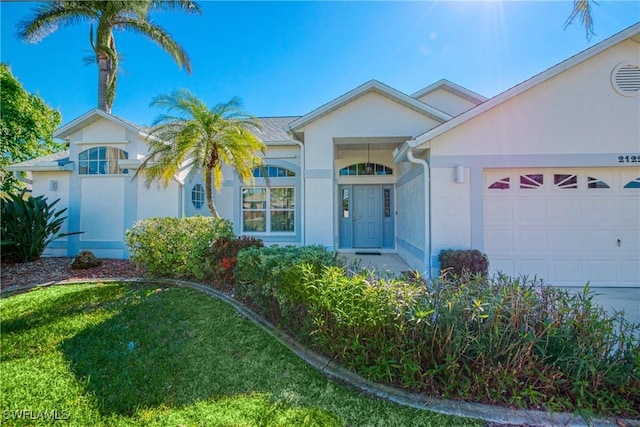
<point x="55" y="269"/>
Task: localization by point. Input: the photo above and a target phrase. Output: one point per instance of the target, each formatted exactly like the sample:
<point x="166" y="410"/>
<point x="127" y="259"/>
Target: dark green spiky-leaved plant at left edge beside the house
<point x="29" y="224"/>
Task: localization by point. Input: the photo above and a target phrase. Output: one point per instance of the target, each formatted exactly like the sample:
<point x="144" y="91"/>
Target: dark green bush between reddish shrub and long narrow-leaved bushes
<point x="268" y="278"/>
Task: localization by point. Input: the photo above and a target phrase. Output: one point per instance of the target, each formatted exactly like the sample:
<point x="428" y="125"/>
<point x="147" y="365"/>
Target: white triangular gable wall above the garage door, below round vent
<point x="577" y="111"/>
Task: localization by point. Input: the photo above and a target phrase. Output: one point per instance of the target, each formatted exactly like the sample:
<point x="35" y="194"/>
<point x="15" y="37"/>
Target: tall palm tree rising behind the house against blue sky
<point x="109" y="15"/>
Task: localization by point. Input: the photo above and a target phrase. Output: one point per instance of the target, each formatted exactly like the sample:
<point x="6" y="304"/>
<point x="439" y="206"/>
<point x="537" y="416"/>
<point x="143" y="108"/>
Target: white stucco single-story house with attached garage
<point x="544" y="178"/>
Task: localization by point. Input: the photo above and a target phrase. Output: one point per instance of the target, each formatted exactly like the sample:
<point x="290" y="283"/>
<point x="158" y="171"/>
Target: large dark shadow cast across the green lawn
<point x="166" y="348"/>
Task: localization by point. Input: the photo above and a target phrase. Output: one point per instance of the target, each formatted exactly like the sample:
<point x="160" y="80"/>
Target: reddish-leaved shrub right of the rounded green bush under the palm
<point x="222" y="258"/>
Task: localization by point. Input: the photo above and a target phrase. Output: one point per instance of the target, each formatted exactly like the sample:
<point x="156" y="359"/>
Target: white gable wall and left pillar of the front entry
<point x="370" y="115"/>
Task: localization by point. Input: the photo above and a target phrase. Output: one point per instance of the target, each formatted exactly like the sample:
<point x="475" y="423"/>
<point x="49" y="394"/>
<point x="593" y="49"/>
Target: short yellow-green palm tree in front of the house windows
<point x="201" y="139"/>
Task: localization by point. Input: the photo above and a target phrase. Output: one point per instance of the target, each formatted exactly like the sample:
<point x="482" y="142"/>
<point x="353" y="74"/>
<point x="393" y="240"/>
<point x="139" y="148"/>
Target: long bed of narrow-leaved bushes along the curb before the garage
<point x="501" y="340"/>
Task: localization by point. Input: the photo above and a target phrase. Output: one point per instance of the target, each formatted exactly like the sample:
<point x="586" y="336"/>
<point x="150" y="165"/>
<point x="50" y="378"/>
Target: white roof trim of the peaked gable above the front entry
<point x="372" y="86"/>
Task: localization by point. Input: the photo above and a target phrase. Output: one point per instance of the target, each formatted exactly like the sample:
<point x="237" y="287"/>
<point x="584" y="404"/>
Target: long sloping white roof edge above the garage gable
<point x="632" y="32"/>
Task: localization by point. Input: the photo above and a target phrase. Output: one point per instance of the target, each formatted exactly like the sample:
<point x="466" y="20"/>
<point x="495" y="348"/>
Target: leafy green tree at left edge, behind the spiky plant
<point x="26" y="126"/>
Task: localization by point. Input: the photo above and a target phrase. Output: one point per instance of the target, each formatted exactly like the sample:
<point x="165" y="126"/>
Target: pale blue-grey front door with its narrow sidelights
<point x="365" y="216"/>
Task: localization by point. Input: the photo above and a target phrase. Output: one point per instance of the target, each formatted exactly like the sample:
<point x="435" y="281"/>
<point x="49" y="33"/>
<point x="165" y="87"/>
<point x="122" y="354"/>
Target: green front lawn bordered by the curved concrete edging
<point x="124" y="354"/>
